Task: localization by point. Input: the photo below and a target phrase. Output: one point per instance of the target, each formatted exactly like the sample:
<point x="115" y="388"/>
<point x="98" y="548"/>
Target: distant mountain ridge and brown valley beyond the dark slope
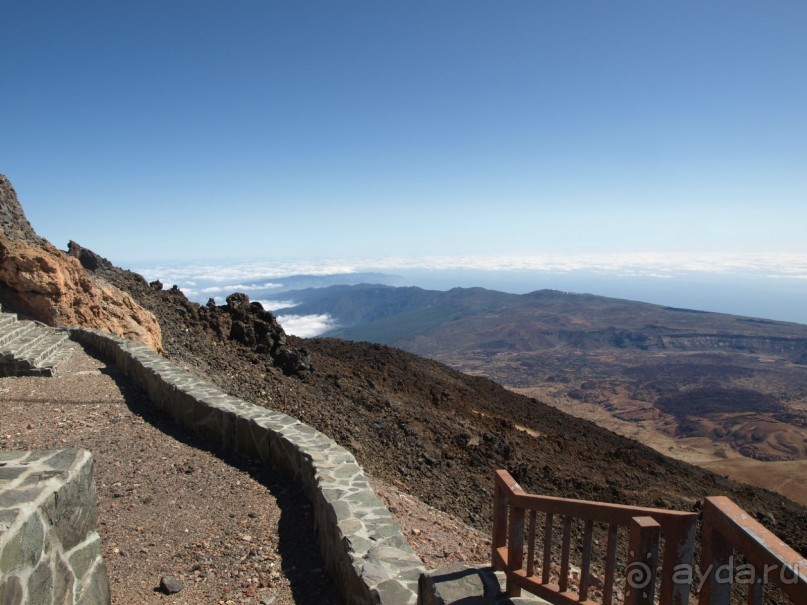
<point x="725" y="391"/>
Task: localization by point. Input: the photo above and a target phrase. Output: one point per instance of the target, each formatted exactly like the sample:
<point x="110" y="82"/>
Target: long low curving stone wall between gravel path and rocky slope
<point x="362" y="545"/>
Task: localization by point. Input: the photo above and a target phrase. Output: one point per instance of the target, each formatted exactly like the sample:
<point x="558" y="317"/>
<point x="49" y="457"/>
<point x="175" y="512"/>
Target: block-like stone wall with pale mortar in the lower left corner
<point x="49" y="550"/>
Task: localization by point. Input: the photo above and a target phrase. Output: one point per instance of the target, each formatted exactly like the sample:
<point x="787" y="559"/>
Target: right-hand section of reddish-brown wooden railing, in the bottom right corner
<point x="728" y="528"/>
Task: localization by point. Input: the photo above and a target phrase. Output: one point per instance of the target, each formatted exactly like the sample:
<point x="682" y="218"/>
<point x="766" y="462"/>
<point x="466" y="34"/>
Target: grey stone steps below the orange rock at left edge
<point x="29" y="348"/>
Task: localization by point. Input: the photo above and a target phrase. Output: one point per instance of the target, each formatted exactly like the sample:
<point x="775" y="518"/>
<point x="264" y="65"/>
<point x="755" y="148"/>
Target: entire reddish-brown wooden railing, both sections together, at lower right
<point x="726" y="529"/>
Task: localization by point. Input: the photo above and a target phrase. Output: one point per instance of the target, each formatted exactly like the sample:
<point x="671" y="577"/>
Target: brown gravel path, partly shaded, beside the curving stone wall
<point x="229" y="530"/>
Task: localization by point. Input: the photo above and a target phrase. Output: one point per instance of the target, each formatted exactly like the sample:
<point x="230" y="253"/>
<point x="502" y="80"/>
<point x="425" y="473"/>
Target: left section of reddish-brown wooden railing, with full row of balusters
<point x="512" y="507"/>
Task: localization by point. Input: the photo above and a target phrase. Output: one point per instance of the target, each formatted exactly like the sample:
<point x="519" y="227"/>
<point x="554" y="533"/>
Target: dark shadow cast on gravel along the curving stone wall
<point x="297" y="544"/>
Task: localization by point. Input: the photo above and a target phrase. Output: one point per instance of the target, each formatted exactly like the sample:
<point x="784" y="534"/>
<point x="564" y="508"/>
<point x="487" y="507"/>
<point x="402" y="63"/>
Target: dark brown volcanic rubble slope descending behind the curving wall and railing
<point x="437" y="433"/>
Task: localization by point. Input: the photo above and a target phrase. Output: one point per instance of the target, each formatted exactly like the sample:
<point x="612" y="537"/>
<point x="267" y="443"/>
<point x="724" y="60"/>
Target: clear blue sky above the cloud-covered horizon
<point x="207" y="129"/>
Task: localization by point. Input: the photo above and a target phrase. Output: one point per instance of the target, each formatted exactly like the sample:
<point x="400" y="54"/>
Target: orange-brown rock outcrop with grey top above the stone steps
<point x="44" y="283"/>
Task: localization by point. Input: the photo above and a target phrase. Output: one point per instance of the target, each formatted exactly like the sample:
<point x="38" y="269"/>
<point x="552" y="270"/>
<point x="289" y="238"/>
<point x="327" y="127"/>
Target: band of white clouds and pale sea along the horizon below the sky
<point x="773" y="286"/>
